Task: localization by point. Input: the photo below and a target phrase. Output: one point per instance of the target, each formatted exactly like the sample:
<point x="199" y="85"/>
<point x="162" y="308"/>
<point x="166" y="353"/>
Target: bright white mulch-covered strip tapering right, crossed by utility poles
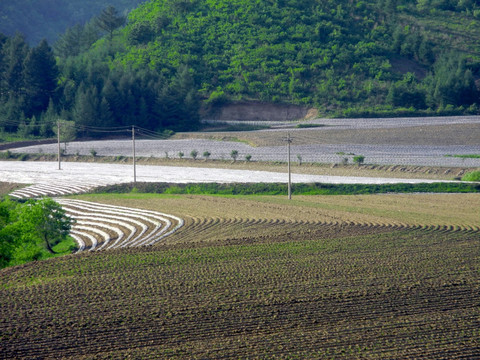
<point x="102" y="174"/>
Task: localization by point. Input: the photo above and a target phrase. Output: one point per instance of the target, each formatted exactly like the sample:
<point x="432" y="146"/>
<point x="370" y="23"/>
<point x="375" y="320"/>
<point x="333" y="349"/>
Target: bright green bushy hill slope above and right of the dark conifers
<point x="306" y="52"/>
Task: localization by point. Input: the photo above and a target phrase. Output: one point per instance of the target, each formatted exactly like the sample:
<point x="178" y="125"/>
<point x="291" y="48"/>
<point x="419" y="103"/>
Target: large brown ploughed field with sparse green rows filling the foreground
<point x="344" y="277"/>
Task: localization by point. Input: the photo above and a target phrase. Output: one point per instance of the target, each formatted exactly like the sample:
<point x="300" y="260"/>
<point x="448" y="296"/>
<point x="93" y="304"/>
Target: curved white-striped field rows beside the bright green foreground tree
<point x="99" y="226"/>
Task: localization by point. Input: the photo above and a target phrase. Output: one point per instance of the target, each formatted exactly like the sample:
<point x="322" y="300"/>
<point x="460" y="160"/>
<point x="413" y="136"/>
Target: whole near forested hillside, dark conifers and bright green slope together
<point x="170" y="58"/>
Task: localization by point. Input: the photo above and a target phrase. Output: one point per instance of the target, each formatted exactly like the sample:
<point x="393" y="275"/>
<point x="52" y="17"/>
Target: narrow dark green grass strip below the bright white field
<point x="281" y="188"/>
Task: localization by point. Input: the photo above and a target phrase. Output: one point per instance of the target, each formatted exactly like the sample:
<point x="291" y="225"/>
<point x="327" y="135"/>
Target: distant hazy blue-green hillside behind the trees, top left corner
<point x="46" y="19"/>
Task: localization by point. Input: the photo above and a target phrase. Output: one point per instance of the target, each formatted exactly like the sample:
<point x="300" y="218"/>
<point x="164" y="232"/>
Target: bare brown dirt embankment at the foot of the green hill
<point x="259" y="111"/>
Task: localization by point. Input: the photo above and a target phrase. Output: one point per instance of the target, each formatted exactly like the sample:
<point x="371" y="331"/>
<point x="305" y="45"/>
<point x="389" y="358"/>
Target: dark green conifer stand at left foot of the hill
<point x="40" y="85"/>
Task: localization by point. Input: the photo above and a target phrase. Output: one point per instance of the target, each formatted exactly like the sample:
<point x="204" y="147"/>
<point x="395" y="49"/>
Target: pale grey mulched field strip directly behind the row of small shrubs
<point x="328" y="153"/>
